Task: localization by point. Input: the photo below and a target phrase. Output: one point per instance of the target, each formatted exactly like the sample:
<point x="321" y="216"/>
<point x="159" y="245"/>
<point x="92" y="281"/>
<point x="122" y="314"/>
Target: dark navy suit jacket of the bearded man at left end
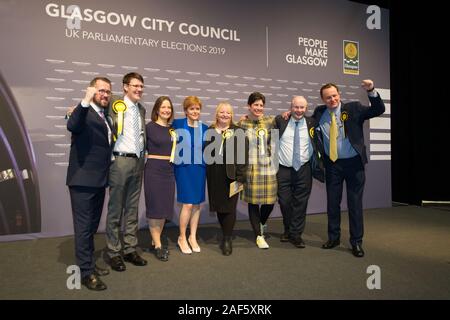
<point x="90" y="152"/>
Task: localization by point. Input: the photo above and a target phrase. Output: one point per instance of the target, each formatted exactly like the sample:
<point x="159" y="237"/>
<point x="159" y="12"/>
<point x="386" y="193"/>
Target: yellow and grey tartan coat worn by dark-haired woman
<point x="261" y="186"/>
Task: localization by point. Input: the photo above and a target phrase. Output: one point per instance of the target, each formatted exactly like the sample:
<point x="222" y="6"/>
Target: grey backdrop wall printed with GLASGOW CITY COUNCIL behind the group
<point x="215" y="50"/>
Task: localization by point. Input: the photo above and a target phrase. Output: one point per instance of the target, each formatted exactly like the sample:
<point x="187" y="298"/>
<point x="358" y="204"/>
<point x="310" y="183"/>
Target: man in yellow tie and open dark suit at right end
<point x="341" y="127"/>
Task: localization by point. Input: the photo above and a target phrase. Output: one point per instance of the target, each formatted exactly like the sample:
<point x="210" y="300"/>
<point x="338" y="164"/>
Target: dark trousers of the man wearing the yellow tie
<point x="352" y="172"/>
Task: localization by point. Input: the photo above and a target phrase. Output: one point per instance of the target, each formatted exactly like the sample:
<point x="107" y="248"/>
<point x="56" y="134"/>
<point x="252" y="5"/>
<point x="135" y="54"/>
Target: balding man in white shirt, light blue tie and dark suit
<point x="297" y="148"/>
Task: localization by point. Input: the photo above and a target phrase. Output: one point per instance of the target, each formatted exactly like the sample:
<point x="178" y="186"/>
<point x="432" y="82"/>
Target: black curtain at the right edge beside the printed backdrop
<point x="420" y="100"/>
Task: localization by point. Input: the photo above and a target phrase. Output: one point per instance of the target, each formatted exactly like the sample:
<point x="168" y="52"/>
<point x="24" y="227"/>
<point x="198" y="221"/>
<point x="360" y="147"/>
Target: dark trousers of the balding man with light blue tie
<point x="294" y="188"/>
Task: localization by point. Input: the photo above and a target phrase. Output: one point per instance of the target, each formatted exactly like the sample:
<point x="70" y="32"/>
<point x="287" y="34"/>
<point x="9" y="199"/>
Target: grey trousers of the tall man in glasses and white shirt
<point x="125" y="181"/>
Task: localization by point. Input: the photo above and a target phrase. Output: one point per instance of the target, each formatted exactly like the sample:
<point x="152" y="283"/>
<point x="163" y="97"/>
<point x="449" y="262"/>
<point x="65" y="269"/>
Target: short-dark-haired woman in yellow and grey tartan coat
<point x="260" y="191"/>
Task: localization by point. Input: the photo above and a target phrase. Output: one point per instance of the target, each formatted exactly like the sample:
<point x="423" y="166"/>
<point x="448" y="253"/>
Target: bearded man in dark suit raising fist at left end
<point x="87" y="175"/>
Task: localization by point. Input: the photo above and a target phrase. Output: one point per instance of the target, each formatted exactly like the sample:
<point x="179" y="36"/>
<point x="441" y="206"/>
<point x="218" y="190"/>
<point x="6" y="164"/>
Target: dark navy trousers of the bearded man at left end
<point x="87" y="206"/>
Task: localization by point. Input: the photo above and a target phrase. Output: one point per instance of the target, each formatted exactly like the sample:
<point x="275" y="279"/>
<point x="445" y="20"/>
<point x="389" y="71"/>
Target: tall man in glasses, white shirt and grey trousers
<point x="127" y="117"/>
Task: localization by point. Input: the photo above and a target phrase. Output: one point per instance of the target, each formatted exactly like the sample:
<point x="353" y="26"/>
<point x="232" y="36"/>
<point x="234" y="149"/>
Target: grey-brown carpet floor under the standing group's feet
<point x="410" y="245"/>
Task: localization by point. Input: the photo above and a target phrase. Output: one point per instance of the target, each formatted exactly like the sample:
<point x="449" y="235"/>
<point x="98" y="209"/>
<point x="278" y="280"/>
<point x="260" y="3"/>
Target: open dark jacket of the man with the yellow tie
<point x="353" y="126"/>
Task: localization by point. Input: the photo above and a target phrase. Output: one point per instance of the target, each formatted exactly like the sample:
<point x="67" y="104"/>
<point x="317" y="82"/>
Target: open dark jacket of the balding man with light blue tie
<point x="316" y="158"/>
